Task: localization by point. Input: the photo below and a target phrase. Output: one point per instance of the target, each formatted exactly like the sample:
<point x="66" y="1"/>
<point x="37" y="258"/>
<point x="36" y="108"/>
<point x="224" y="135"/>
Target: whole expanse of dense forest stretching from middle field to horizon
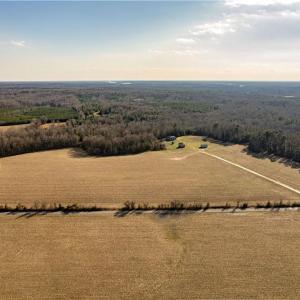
<point x="108" y="120"/>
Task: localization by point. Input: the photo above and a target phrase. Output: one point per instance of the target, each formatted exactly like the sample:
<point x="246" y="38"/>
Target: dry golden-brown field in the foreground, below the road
<point x="200" y="256"/>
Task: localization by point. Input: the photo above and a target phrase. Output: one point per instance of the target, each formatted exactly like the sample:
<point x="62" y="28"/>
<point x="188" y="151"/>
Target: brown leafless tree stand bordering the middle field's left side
<point x="94" y="140"/>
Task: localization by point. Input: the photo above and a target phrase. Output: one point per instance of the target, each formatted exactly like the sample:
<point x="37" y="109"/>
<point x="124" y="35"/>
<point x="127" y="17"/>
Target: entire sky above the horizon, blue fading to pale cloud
<point x="150" y="40"/>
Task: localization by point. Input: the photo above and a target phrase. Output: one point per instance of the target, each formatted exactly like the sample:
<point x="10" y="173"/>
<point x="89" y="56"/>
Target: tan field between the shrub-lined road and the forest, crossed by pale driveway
<point x="187" y="175"/>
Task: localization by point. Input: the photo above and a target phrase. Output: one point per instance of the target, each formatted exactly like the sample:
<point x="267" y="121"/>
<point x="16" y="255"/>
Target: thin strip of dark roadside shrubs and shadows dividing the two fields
<point x="174" y="208"/>
